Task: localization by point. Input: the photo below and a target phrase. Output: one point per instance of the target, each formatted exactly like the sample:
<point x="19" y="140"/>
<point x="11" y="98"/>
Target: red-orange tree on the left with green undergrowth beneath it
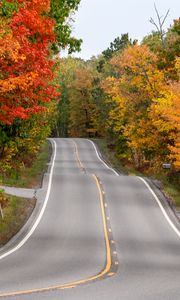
<point x="26" y="87"/>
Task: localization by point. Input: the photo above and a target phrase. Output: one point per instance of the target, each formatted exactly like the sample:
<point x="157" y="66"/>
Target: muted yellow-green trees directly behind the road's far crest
<point x="81" y="111"/>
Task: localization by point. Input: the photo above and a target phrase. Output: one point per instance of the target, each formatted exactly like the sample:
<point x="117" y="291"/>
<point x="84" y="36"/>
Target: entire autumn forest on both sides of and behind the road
<point x="128" y="95"/>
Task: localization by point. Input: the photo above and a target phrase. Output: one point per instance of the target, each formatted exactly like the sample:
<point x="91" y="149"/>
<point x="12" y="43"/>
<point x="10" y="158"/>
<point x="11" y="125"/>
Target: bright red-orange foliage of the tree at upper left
<point x="25" y="64"/>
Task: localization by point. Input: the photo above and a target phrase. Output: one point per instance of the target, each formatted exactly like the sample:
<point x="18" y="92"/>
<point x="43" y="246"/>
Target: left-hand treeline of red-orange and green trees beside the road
<point x="32" y="32"/>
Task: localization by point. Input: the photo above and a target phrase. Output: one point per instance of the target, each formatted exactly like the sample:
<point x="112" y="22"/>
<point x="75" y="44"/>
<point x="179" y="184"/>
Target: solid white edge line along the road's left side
<point x="41" y="212"/>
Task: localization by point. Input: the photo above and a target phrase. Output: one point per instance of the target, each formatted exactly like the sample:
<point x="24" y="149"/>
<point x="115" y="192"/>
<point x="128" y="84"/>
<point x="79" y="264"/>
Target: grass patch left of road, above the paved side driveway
<point x="32" y="176"/>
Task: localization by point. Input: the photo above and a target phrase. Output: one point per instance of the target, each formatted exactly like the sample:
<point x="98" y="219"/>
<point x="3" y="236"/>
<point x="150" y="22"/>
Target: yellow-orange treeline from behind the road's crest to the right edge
<point x="130" y="95"/>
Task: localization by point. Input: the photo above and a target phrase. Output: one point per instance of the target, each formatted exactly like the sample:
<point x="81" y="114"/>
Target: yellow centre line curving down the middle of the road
<point x="86" y="280"/>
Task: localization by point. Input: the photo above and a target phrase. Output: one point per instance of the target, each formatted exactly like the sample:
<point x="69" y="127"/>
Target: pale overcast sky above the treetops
<point x="99" y="22"/>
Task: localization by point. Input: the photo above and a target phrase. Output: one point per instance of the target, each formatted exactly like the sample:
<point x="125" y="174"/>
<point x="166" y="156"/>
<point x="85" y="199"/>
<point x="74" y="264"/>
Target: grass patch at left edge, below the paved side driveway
<point x="15" y="216"/>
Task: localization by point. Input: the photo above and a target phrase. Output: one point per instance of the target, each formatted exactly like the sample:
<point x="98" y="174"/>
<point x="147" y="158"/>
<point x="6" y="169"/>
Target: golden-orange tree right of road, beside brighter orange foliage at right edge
<point x="139" y="81"/>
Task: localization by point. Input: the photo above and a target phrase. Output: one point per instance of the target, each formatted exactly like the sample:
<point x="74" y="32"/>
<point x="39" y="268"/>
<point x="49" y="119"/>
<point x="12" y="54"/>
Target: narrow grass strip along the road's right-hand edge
<point x="171" y="186"/>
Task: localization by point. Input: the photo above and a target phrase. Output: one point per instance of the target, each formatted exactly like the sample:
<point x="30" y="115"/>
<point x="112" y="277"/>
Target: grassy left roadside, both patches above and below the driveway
<point x="19" y="209"/>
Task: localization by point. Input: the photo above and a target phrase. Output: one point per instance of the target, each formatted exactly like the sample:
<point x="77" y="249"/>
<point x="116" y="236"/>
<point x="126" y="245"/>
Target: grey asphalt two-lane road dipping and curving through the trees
<point x="97" y="235"/>
